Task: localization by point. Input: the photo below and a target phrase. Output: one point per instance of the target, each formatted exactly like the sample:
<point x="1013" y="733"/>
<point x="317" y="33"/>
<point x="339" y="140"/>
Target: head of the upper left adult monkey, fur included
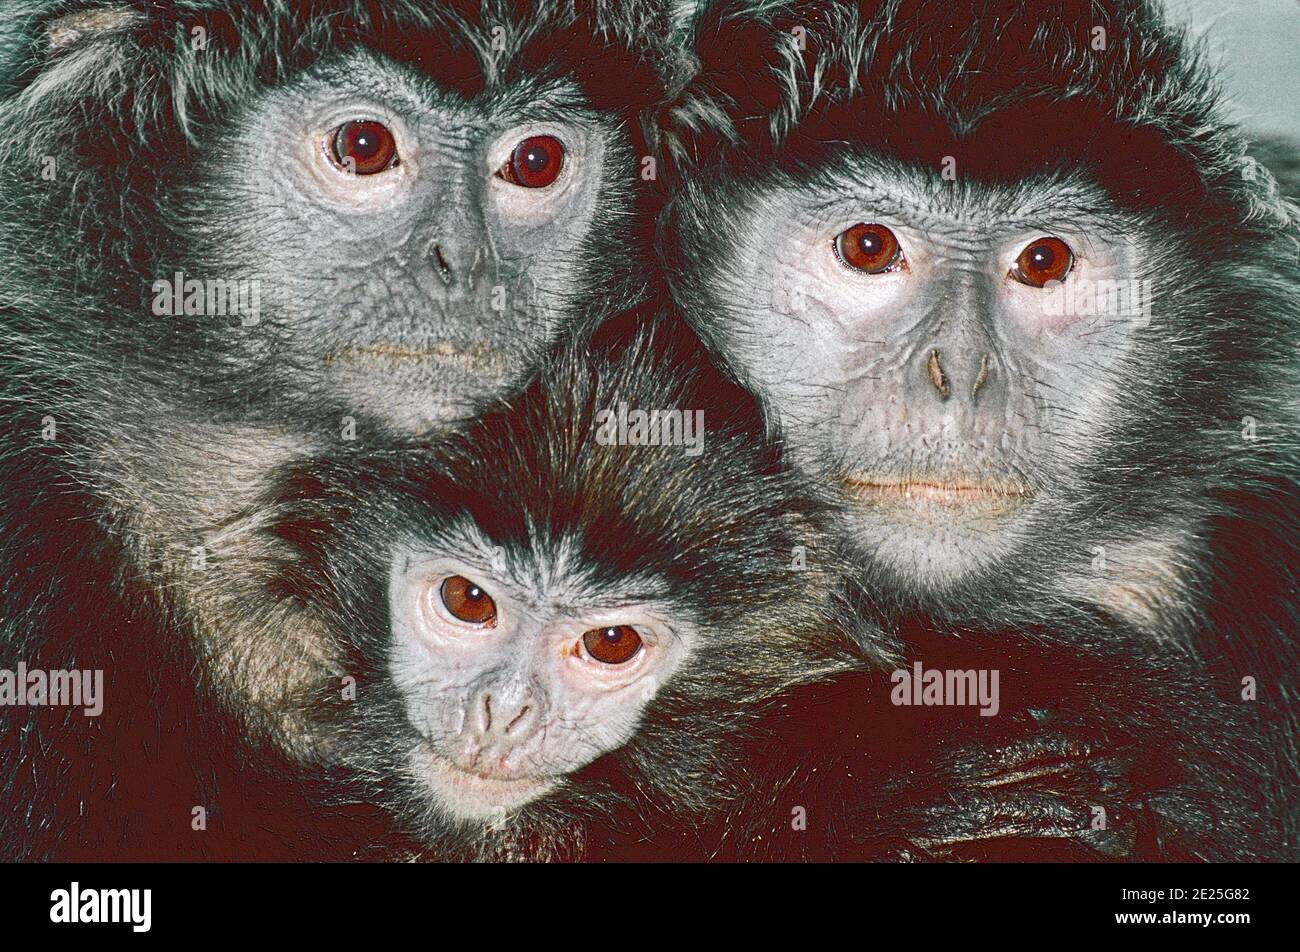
<point x="389" y="207"/>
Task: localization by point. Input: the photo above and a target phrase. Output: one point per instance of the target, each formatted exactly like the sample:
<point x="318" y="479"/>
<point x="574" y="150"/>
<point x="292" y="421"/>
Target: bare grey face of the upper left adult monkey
<point x="414" y="249"/>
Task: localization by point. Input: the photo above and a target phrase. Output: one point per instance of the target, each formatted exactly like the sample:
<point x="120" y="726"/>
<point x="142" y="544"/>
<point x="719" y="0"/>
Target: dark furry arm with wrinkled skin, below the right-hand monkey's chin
<point x="1091" y="756"/>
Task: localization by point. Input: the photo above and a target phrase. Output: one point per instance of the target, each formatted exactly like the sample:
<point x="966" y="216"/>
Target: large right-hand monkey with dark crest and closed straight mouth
<point x="907" y="227"/>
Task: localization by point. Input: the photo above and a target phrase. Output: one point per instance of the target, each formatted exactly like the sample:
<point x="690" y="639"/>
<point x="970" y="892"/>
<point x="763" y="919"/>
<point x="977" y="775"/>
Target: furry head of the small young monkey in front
<point x="548" y="620"/>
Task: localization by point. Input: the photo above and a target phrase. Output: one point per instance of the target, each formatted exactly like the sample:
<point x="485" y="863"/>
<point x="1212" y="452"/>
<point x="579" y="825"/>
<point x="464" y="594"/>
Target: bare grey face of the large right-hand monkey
<point x="902" y="332"/>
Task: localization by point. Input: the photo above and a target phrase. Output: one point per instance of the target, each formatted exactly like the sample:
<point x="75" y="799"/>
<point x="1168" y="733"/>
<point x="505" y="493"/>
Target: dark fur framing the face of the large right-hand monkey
<point x="1015" y="89"/>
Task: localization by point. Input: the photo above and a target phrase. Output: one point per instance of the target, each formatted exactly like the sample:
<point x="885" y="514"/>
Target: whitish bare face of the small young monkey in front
<point x="514" y="681"/>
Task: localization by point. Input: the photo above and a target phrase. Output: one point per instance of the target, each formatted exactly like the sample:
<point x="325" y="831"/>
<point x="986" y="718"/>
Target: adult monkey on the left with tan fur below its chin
<point x="237" y="235"/>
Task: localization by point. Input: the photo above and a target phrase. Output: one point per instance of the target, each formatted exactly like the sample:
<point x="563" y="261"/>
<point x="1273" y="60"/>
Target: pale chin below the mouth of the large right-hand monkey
<point x="933" y="536"/>
